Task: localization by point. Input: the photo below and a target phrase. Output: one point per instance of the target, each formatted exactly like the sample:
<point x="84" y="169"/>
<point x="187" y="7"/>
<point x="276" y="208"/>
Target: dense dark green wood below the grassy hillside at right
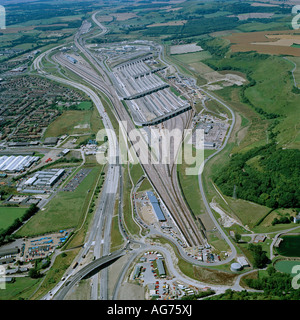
<point x="273" y="181"/>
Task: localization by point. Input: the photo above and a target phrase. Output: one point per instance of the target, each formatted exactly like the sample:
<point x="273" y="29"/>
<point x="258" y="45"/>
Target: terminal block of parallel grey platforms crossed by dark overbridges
<point x="147" y="96"/>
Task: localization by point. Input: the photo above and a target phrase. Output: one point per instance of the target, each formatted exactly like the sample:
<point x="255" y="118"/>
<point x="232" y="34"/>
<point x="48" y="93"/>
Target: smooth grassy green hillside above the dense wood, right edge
<point x="280" y="100"/>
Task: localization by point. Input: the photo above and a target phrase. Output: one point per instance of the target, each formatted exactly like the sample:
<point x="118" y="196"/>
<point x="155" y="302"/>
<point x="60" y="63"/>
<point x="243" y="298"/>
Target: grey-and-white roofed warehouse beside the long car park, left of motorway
<point x="45" y="178"/>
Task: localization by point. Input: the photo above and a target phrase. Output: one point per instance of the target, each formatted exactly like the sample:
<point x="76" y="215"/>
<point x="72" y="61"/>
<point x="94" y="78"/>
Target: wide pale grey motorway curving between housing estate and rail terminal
<point x="102" y="220"/>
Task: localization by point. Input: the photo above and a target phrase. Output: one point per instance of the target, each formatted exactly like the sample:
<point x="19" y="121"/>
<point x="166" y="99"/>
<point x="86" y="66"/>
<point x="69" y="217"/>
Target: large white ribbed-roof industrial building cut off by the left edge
<point x="16" y="163"/>
